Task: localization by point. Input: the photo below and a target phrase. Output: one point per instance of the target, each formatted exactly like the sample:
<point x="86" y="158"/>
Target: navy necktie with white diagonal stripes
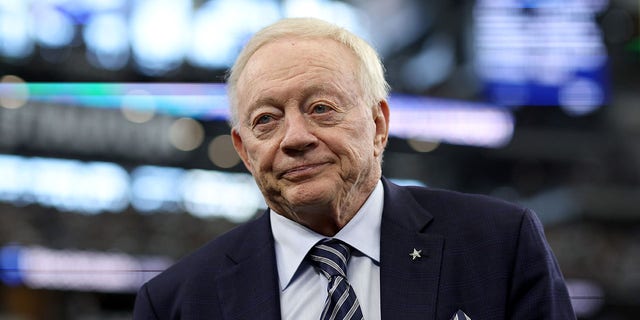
<point x="331" y="257"/>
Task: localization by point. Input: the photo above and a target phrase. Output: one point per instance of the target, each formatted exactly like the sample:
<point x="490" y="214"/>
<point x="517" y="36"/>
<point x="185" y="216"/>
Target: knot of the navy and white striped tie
<point x="331" y="257"/>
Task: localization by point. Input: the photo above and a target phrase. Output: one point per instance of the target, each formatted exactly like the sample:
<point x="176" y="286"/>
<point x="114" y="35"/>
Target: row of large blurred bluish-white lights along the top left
<point x="161" y="34"/>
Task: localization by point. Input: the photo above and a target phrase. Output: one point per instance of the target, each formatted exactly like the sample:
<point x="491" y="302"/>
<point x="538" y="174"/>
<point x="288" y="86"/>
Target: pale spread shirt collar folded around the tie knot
<point x="293" y="240"/>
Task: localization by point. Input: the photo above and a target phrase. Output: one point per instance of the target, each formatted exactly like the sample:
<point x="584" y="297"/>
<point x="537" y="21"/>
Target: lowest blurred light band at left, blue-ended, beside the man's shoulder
<point x="43" y="268"/>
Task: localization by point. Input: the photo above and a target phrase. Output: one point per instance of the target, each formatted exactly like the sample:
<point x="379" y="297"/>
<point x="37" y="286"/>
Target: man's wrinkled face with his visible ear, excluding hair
<point x="304" y="131"/>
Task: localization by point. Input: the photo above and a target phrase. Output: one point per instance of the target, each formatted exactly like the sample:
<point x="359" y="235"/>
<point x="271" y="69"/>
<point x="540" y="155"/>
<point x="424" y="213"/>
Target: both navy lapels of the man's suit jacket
<point x="249" y="288"/>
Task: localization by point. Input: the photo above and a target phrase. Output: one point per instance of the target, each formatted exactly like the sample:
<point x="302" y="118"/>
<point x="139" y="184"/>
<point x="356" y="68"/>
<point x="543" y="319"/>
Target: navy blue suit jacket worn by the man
<point x="483" y="256"/>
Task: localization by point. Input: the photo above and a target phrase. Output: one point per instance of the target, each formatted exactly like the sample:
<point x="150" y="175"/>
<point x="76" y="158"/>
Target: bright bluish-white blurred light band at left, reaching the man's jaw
<point x="95" y="187"/>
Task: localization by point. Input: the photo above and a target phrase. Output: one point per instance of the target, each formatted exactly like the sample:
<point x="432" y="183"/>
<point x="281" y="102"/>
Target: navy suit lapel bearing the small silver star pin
<point x="408" y="286"/>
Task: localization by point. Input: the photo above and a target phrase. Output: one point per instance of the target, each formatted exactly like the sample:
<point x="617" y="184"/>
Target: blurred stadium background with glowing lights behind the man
<point x="115" y="158"/>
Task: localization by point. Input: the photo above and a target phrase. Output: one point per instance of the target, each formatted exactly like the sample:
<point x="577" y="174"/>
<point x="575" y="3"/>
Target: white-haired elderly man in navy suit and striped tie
<point x="339" y="241"/>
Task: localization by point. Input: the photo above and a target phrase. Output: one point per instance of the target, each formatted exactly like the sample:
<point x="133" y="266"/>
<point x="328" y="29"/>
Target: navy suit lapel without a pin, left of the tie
<point x="249" y="289"/>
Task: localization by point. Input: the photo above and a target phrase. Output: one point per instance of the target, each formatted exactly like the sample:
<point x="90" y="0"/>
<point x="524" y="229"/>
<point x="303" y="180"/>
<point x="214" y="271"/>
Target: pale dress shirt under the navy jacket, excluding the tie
<point x="303" y="290"/>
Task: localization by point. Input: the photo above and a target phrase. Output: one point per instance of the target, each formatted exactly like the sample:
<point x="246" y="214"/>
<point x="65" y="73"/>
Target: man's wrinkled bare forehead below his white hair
<point x="297" y="61"/>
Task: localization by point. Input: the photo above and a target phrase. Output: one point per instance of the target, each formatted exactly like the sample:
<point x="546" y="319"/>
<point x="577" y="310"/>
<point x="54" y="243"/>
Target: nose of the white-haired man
<point x="298" y="135"/>
